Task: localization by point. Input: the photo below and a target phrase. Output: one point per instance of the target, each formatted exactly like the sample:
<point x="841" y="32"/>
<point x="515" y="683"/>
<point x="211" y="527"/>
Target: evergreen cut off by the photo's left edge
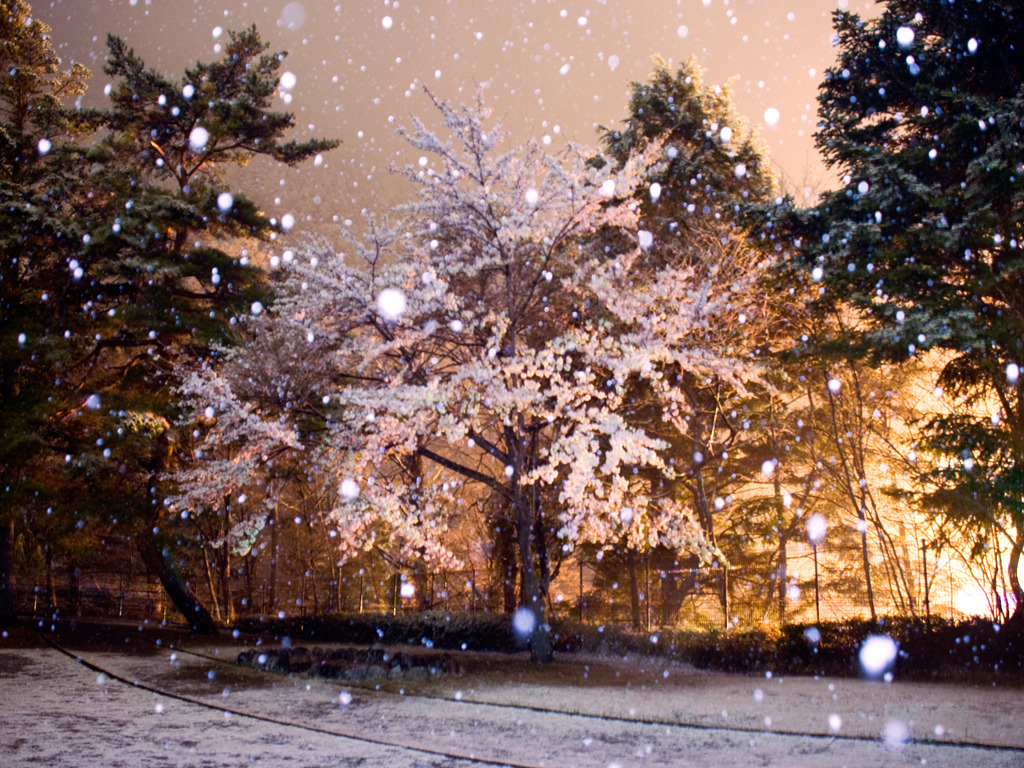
<point x="38" y="137"/>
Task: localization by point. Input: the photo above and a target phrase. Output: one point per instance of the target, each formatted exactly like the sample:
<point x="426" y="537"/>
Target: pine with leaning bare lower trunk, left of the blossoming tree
<point x="170" y="288"/>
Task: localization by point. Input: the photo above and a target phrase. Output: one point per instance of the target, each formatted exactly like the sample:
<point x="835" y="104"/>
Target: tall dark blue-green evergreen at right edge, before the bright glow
<point x="923" y="116"/>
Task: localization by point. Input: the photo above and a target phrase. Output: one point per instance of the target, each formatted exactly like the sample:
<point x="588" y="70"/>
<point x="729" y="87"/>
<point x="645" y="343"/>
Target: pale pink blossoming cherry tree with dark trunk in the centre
<point x="494" y="335"/>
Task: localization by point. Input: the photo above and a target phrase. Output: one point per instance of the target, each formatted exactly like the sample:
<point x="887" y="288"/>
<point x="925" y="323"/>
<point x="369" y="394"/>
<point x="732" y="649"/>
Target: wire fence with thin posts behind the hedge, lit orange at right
<point x="694" y="599"/>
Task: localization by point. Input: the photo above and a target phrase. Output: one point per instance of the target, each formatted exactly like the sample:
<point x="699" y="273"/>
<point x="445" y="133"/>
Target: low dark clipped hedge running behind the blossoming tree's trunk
<point x="977" y="650"/>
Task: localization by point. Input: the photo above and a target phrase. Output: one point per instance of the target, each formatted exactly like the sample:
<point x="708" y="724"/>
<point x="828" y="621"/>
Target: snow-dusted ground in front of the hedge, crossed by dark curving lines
<point x="127" y="702"/>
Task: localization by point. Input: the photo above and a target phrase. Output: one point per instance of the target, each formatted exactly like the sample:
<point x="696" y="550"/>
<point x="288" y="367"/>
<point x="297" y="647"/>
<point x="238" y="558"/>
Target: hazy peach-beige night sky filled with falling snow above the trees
<point x="556" y="69"/>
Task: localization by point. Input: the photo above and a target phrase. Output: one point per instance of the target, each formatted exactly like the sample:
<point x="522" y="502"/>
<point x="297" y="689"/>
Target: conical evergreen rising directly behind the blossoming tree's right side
<point x="713" y="168"/>
